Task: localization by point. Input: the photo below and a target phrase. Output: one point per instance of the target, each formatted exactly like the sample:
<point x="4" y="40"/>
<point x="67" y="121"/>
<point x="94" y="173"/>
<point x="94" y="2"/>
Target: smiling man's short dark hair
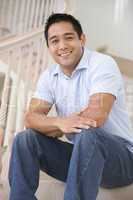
<point x="60" y="17"/>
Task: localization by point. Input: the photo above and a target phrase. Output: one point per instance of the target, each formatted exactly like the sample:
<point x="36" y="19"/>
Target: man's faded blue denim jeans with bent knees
<point x="96" y="159"/>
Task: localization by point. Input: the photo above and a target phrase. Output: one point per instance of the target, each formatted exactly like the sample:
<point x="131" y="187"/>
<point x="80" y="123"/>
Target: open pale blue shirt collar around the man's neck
<point x="83" y="64"/>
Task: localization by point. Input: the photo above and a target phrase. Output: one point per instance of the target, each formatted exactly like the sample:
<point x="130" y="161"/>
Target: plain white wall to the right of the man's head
<point x="97" y="19"/>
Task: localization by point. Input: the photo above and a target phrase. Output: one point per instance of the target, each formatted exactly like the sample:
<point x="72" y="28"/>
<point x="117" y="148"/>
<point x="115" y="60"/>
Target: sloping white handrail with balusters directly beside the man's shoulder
<point x="22" y="54"/>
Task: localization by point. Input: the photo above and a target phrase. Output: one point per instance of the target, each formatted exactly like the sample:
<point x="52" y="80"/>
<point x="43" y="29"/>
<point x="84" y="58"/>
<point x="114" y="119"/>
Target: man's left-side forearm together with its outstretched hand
<point x="56" y="126"/>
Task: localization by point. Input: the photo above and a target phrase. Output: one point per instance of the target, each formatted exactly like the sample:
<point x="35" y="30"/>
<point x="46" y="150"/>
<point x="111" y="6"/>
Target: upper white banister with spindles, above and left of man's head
<point x="18" y="17"/>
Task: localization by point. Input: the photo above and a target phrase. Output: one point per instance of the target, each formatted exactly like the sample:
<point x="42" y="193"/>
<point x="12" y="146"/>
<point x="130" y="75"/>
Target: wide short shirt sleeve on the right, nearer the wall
<point x="106" y="78"/>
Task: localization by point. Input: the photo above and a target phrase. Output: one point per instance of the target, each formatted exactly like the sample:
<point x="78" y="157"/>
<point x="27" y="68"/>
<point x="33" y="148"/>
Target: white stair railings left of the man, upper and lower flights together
<point x="23" y="56"/>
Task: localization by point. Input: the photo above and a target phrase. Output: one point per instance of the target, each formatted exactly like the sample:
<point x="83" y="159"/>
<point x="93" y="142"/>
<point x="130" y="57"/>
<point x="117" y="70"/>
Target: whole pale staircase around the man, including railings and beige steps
<point x="23" y="56"/>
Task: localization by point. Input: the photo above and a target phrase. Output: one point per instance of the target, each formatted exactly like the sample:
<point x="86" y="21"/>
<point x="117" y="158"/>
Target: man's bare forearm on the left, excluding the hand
<point x="42" y="123"/>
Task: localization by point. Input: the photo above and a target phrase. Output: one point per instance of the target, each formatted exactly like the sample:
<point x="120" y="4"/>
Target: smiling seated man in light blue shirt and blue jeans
<point x="87" y="90"/>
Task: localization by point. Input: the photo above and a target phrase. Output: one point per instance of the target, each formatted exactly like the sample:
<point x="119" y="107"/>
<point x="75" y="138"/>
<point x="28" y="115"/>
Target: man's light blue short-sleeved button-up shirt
<point x="95" y="73"/>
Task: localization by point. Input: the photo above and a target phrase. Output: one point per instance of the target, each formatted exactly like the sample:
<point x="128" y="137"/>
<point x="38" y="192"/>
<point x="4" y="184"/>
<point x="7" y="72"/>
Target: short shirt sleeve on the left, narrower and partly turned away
<point x="43" y="90"/>
